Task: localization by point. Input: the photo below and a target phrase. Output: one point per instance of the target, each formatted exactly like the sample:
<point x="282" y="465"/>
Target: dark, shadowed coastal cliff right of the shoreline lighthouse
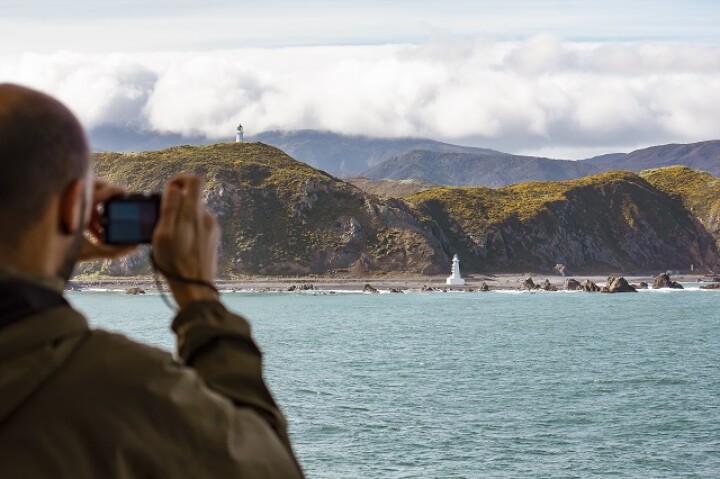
<point x="615" y="221"/>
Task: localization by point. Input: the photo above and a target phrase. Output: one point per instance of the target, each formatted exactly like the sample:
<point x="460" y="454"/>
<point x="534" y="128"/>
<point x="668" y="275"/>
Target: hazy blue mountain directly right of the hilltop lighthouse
<point x="348" y="155"/>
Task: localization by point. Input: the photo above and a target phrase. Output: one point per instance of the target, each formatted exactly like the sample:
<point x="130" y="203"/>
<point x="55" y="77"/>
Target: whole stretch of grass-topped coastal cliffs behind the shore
<point x="282" y="217"/>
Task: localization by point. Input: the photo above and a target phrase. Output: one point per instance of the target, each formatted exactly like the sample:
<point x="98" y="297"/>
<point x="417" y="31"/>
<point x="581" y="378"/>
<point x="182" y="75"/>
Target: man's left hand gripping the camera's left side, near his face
<point x="93" y="247"/>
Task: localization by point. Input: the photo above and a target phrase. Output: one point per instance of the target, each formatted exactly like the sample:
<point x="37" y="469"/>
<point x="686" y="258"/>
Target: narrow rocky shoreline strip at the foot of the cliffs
<point x="500" y="282"/>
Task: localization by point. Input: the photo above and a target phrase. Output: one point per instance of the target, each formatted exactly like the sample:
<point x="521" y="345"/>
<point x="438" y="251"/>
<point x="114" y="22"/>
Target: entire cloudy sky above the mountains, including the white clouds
<point x="558" y="78"/>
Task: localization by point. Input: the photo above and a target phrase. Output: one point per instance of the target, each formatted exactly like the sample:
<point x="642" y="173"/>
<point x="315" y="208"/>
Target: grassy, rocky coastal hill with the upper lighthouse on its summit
<point x="282" y="217"/>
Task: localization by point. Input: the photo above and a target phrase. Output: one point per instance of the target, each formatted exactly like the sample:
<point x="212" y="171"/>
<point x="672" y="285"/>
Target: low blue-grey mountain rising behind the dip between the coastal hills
<point x="468" y="169"/>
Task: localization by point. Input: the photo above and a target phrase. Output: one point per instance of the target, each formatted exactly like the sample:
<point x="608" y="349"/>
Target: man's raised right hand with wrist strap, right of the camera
<point x="186" y="239"/>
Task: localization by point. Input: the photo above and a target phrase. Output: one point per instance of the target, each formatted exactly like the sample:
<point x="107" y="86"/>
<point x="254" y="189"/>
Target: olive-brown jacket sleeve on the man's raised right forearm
<point x="218" y="345"/>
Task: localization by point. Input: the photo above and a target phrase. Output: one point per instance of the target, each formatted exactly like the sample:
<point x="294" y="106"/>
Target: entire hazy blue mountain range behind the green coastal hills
<point x="422" y="159"/>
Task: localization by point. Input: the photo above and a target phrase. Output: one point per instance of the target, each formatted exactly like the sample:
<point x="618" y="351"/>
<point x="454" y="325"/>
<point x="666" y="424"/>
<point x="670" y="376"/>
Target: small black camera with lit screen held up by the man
<point x="130" y="219"/>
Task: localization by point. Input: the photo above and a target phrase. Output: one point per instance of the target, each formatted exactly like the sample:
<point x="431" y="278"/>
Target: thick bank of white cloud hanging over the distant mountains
<point x="542" y="93"/>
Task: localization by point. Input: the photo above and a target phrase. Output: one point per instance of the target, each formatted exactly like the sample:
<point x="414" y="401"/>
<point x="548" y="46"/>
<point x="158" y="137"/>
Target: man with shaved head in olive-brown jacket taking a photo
<point x="76" y="402"/>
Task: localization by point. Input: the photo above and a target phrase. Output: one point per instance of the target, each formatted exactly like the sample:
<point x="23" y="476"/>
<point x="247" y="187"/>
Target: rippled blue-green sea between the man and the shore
<point x="480" y="385"/>
